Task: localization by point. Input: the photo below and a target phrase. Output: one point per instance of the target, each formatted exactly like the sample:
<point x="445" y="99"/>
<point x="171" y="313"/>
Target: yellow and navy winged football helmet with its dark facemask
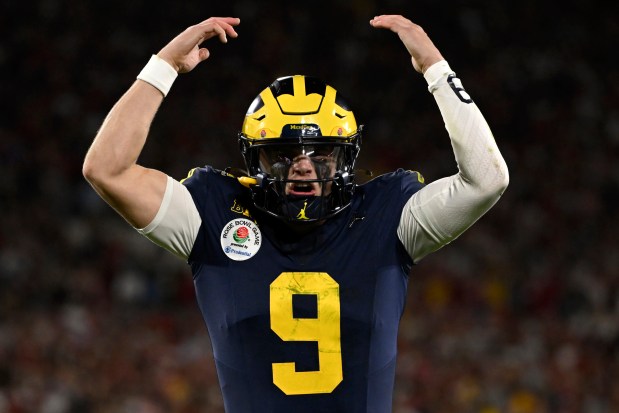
<point x="300" y="142"/>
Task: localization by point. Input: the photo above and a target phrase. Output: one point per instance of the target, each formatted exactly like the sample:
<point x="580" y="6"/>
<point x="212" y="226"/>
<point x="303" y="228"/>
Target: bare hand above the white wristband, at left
<point x="184" y="51"/>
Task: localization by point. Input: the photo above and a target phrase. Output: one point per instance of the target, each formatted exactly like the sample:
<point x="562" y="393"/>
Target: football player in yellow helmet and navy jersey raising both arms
<point x="300" y="273"/>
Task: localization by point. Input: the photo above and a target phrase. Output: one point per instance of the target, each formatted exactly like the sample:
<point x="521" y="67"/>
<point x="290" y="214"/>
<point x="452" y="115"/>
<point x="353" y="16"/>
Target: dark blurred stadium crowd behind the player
<point x="519" y="315"/>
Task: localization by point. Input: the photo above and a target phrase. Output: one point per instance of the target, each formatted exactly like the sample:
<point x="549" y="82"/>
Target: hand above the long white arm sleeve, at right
<point x="423" y="52"/>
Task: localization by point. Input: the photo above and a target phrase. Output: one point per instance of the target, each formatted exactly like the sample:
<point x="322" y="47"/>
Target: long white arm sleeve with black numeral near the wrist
<point x="444" y="209"/>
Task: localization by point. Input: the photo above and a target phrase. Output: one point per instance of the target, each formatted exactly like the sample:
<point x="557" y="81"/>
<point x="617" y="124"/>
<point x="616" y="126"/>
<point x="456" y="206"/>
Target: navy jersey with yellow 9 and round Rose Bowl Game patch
<point x="302" y="322"/>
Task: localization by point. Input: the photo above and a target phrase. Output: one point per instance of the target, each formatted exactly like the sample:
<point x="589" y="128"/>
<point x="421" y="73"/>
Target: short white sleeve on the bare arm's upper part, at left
<point x="177" y="222"/>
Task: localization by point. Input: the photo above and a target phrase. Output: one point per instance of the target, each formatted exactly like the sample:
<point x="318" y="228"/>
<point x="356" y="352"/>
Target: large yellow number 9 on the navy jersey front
<point x="324" y="329"/>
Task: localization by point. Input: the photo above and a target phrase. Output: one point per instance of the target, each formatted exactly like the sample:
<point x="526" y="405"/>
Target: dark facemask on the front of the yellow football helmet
<point x="302" y="180"/>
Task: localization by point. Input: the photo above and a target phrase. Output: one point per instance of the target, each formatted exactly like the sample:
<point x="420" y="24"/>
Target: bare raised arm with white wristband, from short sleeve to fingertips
<point x="134" y="191"/>
